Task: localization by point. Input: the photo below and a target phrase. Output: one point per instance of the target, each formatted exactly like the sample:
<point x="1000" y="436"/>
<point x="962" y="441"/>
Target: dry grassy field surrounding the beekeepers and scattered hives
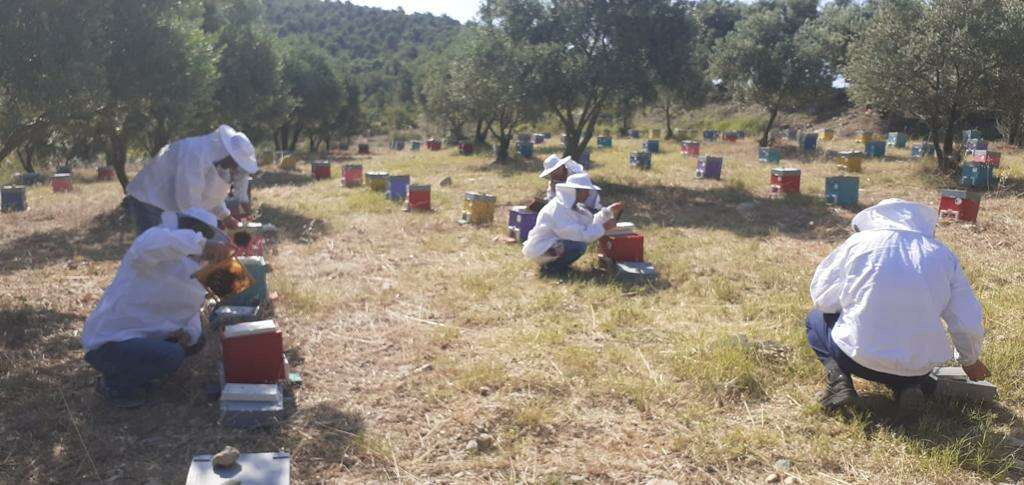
<point x="415" y="335"/>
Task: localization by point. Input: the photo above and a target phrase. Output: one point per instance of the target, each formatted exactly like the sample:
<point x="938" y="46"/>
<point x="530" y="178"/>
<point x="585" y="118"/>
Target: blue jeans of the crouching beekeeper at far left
<point x="129" y="367"/>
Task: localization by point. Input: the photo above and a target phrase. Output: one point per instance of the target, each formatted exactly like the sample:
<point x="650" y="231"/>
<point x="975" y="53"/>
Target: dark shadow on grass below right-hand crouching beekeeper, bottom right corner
<point x="964" y="431"/>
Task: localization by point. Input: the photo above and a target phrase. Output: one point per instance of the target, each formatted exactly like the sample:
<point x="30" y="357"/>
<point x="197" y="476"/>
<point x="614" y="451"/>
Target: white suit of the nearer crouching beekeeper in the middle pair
<point x="563" y="218"/>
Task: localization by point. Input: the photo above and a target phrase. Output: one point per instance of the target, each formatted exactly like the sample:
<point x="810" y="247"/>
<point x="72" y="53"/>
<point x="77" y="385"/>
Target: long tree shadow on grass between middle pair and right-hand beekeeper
<point x="730" y="208"/>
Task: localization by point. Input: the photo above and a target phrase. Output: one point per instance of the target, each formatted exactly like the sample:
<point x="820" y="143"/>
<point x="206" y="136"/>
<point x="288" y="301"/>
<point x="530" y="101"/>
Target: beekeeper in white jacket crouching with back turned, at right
<point x="879" y="299"/>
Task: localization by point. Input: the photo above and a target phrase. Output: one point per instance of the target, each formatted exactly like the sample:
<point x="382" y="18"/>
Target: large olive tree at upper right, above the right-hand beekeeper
<point x="934" y="61"/>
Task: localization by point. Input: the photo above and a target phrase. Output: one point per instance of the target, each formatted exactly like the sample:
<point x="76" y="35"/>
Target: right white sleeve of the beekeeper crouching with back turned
<point x="963" y="317"/>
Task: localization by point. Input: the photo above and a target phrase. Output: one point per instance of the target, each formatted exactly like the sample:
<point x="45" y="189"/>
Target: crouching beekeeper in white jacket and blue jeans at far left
<point x="148" y="320"/>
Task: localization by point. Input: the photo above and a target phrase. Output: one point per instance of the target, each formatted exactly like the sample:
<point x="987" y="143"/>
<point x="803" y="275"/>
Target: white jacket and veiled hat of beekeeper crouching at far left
<point x="154" y="294"/>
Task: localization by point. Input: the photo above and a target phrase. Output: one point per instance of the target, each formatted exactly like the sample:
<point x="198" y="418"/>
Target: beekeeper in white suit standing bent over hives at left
<point x="196" y="172"/>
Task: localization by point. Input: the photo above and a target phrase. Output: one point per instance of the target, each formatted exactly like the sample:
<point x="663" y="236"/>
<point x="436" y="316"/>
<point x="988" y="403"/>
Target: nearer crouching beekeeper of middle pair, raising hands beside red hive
<point x="565" y="229"/>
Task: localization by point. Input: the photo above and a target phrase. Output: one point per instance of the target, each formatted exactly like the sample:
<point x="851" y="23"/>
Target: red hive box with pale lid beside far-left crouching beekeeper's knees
<point x="253" y="354"/>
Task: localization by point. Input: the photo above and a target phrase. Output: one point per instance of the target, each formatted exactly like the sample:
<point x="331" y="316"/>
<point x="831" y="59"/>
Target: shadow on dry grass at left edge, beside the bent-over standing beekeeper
<point x="105" y="238"/>
